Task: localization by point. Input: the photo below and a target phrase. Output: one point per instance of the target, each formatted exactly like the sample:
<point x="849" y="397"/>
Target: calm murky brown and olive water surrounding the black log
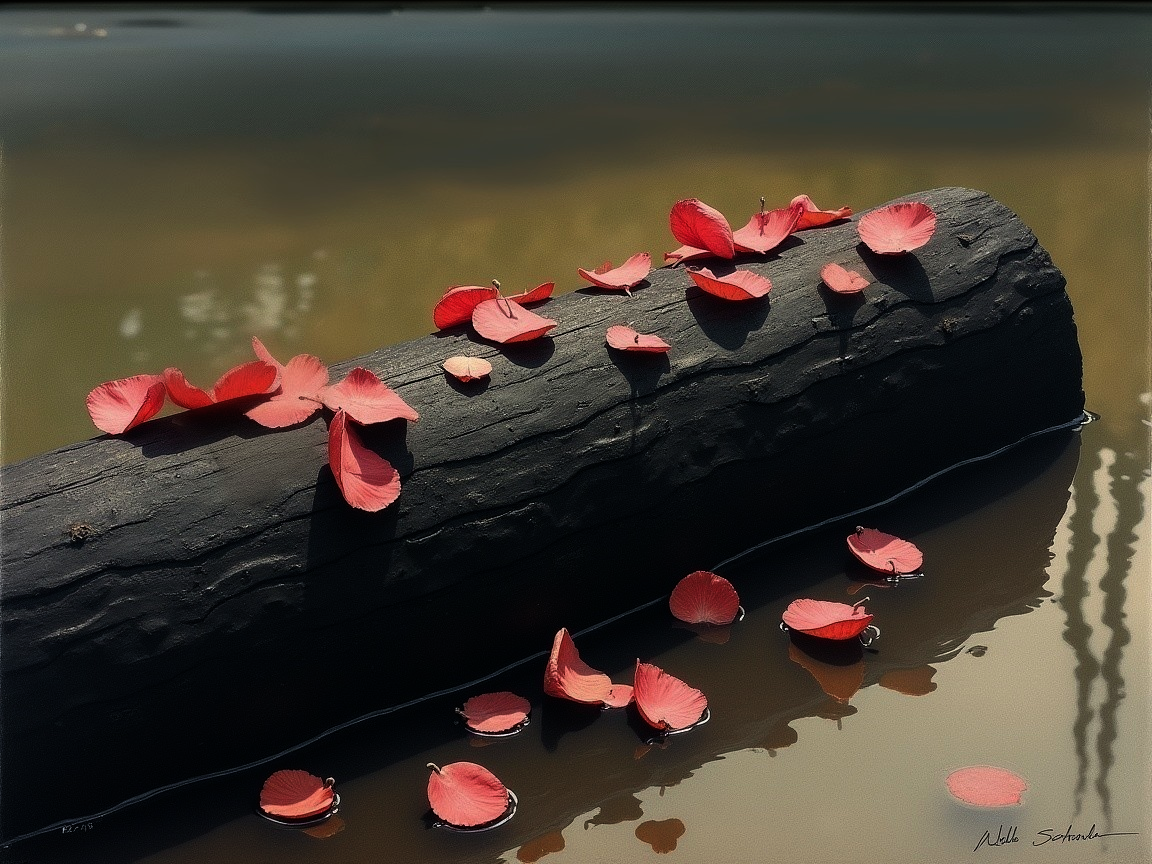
<point x="176" y="183"/>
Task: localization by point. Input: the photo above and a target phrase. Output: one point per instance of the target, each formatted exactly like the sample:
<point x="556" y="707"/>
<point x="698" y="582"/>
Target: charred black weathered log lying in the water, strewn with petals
<point x="196" y="594"/>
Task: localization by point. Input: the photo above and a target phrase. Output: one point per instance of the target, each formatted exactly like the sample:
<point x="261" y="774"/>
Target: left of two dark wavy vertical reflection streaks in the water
<point x="1078" y="632"/>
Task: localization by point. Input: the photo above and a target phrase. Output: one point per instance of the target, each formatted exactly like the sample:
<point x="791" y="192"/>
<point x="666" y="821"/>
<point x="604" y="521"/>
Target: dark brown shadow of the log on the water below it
<point x="567" y="763"/>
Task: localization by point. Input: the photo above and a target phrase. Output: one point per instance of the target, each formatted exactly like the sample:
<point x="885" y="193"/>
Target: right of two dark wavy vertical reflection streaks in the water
<point x="1121" y="549"/>
